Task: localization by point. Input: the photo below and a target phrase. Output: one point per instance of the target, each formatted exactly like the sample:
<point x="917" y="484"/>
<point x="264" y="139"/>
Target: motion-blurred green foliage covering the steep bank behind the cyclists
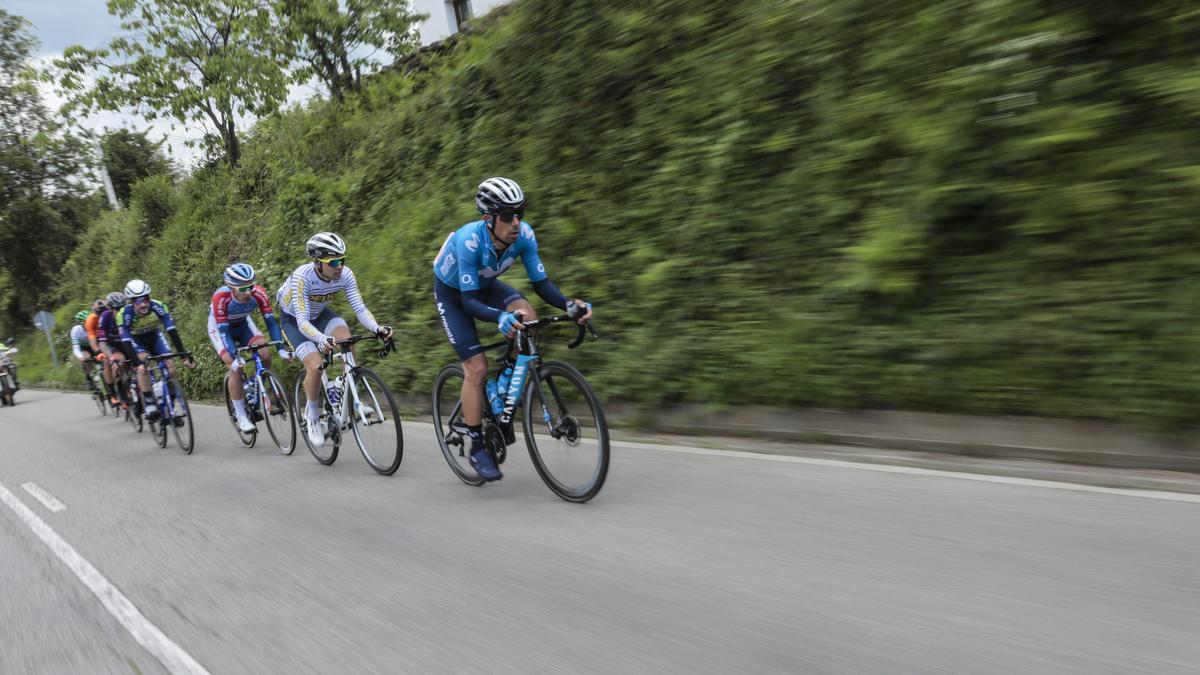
<point x="981" y="207"/>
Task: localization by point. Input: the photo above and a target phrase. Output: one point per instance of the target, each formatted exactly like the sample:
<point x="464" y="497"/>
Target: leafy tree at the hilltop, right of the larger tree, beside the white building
<point x="328" y="38"/>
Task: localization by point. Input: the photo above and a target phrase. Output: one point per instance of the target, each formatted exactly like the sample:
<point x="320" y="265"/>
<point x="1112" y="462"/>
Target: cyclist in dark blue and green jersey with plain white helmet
<point x="141" y="334"/>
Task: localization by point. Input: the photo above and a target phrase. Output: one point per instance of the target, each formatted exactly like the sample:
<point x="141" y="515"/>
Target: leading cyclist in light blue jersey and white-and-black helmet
<point x="466" y="289"/>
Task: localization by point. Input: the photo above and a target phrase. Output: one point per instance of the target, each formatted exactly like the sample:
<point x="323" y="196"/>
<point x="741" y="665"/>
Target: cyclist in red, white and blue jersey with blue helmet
<point x="232" y="327"/>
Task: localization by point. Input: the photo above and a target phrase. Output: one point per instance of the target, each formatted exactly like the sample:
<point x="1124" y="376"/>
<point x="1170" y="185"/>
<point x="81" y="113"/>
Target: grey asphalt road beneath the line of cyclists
<point x="247" y="561"/>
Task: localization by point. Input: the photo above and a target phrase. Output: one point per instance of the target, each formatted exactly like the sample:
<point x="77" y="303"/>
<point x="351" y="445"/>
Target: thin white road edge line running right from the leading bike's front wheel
<point x="917" y="471"/>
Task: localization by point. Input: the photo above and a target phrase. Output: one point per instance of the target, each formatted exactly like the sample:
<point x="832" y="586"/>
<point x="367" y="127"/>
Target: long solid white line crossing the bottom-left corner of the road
<point x="175" y="659"/>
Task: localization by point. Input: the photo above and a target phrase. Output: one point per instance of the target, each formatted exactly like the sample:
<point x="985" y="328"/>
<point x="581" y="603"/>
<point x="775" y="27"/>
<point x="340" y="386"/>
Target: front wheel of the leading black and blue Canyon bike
<point x="567" y="433"/>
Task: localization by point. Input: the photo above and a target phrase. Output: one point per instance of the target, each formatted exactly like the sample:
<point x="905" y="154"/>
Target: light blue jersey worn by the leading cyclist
<point x="469" y="260"/>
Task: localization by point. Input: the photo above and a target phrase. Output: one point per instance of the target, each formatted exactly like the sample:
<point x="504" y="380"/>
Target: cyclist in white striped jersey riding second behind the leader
<point x="309" y="326"/>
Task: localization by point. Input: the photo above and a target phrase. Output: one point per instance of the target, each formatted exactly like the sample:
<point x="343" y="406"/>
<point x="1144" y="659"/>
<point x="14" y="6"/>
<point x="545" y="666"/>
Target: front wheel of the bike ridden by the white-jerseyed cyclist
<point x="375" y="421"/>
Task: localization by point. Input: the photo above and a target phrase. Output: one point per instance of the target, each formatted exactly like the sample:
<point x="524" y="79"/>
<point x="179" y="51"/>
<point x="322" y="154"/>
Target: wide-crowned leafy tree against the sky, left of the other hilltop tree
<point x="209" y="62"/>
